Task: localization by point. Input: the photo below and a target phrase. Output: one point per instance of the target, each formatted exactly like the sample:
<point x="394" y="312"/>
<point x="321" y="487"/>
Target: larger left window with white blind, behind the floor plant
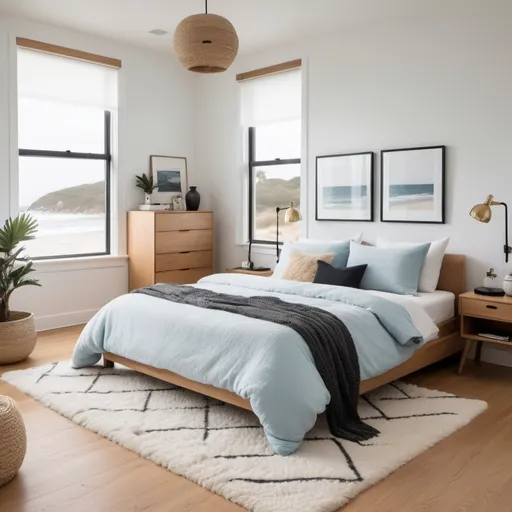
<point x="64" y="137"/>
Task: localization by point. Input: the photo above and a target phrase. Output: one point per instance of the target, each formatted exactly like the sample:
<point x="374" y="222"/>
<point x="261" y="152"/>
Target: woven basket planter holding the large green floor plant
<point x="17" y="337"/>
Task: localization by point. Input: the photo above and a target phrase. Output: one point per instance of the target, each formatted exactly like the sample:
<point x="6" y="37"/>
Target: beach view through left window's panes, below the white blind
<point x="65" y="195"/>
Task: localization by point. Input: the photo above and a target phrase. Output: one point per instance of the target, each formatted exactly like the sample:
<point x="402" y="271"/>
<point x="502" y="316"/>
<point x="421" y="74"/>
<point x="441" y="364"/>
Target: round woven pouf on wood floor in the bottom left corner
<point x="13" y="439"/>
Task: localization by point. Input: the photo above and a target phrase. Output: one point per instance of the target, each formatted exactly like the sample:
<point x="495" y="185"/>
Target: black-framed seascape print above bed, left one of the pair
<point x="344" y="187"/>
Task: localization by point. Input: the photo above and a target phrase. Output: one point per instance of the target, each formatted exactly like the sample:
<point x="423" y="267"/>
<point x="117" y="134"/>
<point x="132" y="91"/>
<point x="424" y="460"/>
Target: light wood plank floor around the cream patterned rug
<point x="68" y="468"/>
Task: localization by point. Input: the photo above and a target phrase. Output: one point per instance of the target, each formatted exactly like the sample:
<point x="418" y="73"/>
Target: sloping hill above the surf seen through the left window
<point x="88" y="198"/>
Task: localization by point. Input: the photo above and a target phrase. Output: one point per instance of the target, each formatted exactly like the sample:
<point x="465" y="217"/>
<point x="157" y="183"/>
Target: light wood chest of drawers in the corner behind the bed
<point x="169" y="247"/>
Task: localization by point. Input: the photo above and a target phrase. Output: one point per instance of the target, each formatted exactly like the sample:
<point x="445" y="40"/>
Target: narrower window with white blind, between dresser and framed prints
<point x="271" y="114"/>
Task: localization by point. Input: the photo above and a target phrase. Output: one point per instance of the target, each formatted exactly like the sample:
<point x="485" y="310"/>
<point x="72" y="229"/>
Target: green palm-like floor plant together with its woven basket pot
<point x="17" y="329"/>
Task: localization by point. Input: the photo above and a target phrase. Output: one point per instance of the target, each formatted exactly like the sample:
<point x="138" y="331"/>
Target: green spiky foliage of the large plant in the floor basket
<point x="15" y="268"/>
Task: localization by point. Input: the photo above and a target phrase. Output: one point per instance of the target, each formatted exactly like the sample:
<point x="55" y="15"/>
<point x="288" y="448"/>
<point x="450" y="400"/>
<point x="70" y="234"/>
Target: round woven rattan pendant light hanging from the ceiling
<point x="206" y="43"/>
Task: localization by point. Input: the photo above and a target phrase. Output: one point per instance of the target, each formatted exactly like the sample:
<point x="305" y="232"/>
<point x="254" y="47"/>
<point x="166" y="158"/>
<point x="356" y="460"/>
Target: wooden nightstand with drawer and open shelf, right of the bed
<point x="483" y="314"/>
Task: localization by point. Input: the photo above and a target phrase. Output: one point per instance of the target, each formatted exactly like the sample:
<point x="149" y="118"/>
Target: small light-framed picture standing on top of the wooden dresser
<point x="170" y="174"/>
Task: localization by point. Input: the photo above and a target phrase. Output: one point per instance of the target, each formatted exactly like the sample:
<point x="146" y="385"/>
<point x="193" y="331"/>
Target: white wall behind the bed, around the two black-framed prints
<point x="444" y="79"/>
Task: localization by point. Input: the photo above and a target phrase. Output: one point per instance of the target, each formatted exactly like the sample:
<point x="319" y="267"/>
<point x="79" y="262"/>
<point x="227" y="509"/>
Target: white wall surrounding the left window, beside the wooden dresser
<point x="155" y="105"/>
